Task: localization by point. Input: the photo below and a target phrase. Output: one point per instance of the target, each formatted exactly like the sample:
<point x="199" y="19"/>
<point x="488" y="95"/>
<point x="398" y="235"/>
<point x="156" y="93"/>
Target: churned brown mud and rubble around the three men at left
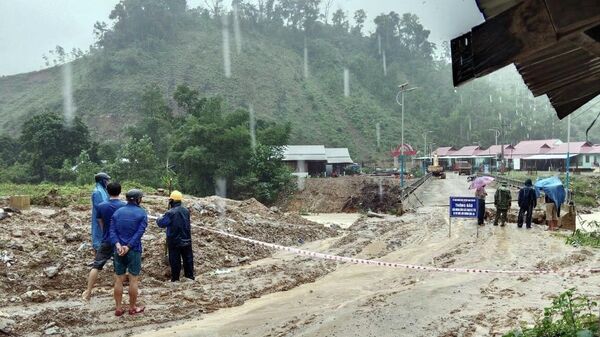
<point x="45" y="255"/>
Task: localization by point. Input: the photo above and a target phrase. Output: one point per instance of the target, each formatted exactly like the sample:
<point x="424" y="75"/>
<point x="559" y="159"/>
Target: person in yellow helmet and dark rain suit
<point x="179" y="237"/>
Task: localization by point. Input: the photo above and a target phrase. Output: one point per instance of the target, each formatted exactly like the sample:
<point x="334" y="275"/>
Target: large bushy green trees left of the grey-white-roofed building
<point x="214" y="143"/>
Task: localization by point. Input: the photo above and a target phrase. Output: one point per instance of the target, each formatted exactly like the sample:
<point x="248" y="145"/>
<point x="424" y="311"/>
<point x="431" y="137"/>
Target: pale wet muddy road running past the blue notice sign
<point x="356" y="300"/>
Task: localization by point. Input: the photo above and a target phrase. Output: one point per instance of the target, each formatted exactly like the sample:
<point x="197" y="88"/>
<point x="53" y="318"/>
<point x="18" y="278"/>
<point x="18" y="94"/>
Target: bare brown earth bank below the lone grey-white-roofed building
<point x="346" y="194"/>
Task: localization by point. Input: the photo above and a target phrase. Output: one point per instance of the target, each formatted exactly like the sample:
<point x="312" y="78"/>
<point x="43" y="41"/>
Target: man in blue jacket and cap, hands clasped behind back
<point x="128" y="225"/>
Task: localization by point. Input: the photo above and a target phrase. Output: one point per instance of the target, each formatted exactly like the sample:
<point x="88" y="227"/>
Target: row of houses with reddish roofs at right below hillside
<point x="527" y="155"/>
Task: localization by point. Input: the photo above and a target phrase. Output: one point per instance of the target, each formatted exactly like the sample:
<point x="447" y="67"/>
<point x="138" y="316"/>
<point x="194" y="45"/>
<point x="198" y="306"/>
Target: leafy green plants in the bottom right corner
<point x="570" y="315"/>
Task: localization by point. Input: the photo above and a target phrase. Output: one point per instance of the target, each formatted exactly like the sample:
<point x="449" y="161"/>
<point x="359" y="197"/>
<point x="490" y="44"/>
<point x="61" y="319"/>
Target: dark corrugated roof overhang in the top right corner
<point x="555" y="45"/>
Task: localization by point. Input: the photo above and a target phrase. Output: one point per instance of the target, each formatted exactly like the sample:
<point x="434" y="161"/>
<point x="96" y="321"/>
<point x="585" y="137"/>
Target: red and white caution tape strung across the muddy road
<point x="401" y="265"/>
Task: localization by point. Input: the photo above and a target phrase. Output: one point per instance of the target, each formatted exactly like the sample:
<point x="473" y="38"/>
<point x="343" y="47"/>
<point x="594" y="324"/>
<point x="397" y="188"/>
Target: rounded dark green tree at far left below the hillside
<point x="47" y="142"/>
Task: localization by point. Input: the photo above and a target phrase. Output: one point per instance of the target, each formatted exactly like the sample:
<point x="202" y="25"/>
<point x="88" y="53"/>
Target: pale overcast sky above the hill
<point x="29" y="28"/>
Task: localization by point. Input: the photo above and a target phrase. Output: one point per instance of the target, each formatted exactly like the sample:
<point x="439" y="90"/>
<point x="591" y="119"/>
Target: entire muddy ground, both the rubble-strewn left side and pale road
<point x="246" y="289"/>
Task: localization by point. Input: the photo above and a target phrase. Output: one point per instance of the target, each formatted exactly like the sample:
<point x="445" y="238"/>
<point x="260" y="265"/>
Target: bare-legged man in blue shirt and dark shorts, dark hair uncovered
<point x="105" y="211"/>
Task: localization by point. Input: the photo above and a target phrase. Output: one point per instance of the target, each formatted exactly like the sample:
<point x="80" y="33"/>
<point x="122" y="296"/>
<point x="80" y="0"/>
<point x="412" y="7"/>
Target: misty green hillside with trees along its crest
<point x="186" y="48"/>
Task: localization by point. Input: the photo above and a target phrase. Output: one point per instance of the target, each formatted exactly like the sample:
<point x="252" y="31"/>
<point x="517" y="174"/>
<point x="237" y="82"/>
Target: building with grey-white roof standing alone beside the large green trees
<point x="316" y="160"/>
